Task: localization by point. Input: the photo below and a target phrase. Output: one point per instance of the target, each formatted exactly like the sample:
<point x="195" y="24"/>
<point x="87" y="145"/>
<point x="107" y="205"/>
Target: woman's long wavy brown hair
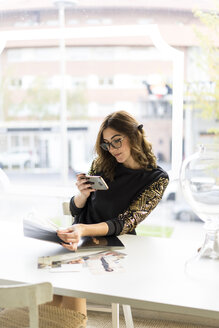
<point x="141" y="149"/>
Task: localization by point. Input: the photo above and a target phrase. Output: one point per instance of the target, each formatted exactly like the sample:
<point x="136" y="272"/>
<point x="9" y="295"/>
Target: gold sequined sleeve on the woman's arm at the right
<point x="140" y="208"/>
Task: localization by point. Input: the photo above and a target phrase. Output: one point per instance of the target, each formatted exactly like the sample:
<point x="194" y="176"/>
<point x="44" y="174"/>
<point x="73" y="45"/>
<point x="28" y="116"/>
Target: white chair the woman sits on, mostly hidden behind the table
<point x="115" y="306"/>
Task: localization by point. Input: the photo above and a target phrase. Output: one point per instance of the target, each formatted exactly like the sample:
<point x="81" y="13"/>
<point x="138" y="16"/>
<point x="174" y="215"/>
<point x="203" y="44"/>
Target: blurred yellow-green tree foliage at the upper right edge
<point x="205" y="96"/>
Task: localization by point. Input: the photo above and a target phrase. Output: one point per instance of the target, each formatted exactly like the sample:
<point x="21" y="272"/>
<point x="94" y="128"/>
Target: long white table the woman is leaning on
<point x="154" y="277"/>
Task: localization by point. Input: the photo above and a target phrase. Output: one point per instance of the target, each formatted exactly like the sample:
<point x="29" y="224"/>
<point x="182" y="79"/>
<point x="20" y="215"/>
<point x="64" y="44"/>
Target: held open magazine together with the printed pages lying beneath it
<point x="98" y="254"/>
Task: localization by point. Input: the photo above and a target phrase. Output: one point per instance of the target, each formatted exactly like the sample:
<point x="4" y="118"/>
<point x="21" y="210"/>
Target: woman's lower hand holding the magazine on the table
<point x="71" y="236"/>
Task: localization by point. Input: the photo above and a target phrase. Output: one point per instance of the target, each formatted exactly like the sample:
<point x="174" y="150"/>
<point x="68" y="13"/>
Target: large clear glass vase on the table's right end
<point x="199" y="179"/>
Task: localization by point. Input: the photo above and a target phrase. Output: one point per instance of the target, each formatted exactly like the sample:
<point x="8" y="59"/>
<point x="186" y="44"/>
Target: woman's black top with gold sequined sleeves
<point x="128" y="193"/>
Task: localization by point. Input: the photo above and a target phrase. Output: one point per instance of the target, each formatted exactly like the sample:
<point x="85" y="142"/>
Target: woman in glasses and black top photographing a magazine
<point x="136" y="184"/>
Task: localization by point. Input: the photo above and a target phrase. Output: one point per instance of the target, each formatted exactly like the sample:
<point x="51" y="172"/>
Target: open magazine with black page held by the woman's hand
<point x="47" y="232"/>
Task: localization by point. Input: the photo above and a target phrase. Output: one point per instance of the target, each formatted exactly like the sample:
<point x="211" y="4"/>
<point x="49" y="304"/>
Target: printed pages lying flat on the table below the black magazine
<point x="97" y="263"/>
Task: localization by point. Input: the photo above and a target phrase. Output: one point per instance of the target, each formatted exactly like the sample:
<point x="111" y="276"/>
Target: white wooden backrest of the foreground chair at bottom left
<point x="28" y="295"/>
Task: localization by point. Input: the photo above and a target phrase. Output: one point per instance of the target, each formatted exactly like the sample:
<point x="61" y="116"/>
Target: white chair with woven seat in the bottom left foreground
<point x="17" y="300"/>
